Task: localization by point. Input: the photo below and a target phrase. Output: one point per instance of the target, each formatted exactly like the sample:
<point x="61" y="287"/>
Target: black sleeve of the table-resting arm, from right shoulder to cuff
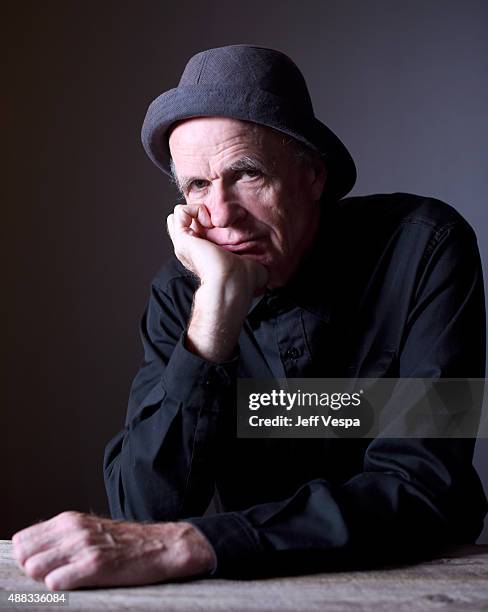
<point x="412" y="495"/>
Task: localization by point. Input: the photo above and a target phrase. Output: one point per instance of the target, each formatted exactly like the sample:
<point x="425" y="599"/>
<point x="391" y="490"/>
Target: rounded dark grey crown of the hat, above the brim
<point x="248" y="67"/>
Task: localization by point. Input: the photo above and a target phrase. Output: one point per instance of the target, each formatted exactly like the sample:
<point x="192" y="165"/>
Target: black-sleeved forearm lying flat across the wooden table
<point x="378" y="516"/>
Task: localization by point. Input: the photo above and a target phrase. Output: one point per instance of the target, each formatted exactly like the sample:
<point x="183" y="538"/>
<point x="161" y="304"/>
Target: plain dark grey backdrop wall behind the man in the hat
<point x="402" y="83"/>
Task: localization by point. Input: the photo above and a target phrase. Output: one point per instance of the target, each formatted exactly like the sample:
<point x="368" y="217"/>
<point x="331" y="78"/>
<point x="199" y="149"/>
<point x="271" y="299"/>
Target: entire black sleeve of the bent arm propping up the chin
<point x="160" y="466"/>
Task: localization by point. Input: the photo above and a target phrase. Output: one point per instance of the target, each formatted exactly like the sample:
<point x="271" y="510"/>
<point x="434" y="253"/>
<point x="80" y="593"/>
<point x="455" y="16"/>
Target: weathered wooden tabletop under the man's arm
<point x="456" y="581"/>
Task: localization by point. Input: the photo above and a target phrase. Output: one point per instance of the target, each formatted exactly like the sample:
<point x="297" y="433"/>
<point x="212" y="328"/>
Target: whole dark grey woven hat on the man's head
<point x="252" y="84"/>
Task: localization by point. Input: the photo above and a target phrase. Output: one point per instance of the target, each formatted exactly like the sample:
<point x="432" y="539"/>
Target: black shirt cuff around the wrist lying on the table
<point x="235" y="544"/>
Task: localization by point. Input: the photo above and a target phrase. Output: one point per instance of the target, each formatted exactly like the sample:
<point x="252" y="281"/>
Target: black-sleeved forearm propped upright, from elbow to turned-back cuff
<point x="161" y="466"/>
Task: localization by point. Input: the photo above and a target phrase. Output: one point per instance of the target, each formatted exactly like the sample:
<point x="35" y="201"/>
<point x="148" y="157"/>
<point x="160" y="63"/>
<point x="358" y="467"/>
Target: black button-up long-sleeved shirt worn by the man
<point x="391" y="287"/>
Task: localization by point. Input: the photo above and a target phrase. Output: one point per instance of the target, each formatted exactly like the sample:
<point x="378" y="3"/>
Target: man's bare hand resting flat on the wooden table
<point x="75" y="550"/>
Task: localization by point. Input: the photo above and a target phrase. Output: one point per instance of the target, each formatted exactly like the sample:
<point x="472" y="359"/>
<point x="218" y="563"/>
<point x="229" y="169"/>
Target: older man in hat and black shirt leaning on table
<point x="275" y="277"/>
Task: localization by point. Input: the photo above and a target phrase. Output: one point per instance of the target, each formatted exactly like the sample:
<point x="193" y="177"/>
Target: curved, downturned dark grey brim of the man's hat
<point x="258" y="106"/>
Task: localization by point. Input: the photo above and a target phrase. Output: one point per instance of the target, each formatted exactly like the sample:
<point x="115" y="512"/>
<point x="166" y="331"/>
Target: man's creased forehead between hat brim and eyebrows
<point x="215" y="136"/>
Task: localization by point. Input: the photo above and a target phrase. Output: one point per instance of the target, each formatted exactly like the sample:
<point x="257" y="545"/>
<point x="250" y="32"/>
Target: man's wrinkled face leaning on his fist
<point x="262" y="201"/>
